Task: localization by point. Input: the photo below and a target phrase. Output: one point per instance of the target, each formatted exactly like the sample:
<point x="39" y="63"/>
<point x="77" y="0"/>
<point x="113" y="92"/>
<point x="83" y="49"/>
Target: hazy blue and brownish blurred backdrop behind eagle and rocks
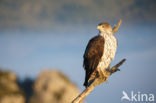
<point x="53" y="34"/>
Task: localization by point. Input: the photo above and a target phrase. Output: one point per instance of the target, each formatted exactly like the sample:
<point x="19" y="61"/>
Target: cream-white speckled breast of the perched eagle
<point x="110" y="46"/>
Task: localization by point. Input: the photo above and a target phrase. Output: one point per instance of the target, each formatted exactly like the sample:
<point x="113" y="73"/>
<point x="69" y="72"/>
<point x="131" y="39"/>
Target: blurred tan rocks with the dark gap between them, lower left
<point x="51" y="86"/>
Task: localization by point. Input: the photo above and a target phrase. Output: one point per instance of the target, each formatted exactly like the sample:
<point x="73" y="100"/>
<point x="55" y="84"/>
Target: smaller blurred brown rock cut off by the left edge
<point x="9" y="90"/>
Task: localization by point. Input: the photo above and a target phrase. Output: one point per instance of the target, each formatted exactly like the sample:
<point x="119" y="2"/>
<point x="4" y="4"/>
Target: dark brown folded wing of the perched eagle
<point x="92" y="56"/>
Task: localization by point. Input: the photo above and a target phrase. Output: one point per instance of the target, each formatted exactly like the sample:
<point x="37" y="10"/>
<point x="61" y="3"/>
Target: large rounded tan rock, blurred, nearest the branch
<point x="53" y="87"/>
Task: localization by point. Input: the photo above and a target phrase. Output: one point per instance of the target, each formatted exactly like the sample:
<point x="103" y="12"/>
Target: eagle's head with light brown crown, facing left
<point x="105" y="28"/>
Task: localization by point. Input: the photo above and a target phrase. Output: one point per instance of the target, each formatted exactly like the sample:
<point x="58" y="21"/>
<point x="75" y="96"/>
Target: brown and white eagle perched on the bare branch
<point x="99" y="53"/>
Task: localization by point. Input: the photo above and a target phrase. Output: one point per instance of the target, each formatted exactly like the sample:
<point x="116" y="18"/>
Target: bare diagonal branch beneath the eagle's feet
<point x="96" y="82"/>
